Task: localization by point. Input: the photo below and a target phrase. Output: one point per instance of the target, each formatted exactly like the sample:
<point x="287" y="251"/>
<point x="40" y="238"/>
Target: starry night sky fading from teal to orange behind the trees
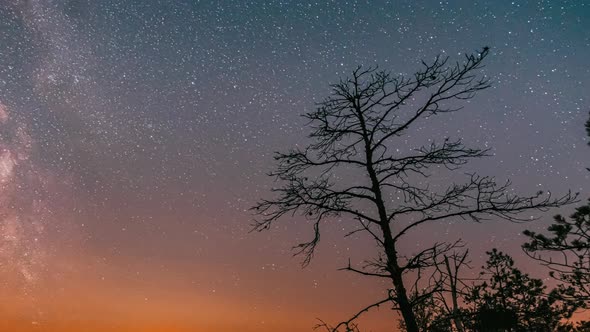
<point x="135" y="136"/>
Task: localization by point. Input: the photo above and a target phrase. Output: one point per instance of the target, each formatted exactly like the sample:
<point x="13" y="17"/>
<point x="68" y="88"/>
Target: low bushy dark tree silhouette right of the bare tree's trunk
<point x="501" y="299"/>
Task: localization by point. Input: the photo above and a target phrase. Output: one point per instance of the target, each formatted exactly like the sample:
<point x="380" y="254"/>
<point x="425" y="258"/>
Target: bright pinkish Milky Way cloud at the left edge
<point x="22" y="221"/>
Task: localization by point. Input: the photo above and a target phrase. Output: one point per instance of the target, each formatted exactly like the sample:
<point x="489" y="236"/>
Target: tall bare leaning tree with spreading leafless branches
<point x="354" y="131"/>
